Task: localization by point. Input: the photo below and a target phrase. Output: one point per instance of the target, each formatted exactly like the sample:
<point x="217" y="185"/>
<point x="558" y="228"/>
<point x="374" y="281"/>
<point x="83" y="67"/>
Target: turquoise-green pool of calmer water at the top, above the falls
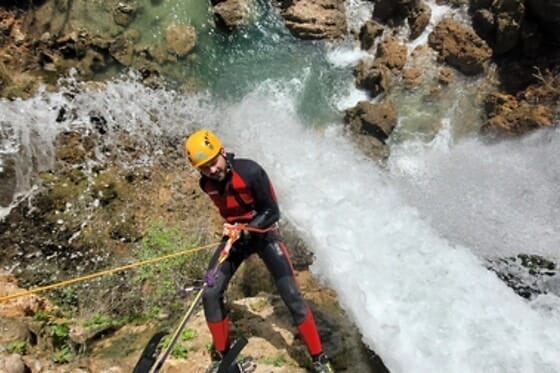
<point x="231" y="64"/>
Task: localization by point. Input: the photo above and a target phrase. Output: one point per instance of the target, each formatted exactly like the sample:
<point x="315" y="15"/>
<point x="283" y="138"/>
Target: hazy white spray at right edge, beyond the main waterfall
<point x="498" y="200"/>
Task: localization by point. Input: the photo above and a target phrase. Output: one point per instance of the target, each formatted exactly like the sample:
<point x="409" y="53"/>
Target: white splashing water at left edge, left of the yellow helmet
<point x="33" y="125"/>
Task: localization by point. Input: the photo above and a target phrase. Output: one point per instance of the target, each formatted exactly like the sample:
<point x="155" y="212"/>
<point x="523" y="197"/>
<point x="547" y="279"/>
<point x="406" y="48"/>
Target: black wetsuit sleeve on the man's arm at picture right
<point x="266" y="206"/>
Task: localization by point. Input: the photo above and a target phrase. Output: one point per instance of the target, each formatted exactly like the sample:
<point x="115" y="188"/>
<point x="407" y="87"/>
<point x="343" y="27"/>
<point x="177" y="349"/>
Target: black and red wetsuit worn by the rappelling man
<point x="247" y="196"/>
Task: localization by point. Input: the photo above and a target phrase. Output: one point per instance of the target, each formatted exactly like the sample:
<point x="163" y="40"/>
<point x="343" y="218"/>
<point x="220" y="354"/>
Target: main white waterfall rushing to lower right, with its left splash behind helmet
<point x="423" y="304"/>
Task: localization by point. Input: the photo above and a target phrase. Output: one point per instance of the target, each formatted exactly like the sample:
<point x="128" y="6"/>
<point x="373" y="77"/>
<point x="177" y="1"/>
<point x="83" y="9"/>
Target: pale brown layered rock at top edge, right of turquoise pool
<point x="315" y="19"/>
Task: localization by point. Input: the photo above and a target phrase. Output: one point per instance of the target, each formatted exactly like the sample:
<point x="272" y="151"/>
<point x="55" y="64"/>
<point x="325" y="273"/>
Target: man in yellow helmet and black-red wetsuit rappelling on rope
<point x="242" y="191"/>
